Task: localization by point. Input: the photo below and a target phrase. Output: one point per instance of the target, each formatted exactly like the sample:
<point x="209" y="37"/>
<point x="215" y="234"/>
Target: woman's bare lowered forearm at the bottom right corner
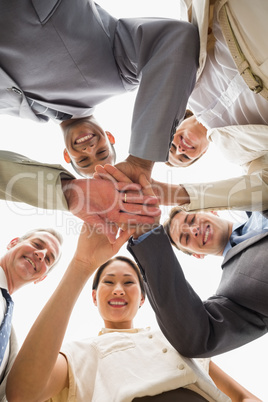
<point x="229" y="386"/>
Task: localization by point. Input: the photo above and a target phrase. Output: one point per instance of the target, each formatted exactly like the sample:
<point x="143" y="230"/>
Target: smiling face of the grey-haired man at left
<point x="30" y="259"/>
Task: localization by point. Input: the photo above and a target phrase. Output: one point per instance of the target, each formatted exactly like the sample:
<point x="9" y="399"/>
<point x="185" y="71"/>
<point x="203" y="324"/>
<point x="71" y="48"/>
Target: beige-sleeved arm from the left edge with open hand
<point x="52" y="187"/>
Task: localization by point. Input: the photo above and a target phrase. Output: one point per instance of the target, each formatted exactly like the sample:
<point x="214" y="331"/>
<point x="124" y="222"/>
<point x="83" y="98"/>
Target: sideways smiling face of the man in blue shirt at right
<point x="200" y="233"/>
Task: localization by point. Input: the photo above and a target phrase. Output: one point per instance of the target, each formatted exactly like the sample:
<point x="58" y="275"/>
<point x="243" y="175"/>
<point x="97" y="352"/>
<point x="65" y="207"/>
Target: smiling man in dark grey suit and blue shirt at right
<point x="237" y="311"/>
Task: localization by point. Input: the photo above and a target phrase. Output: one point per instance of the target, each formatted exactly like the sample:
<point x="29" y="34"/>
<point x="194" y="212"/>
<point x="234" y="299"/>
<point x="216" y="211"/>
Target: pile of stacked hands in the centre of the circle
<point x="117" y="198"/>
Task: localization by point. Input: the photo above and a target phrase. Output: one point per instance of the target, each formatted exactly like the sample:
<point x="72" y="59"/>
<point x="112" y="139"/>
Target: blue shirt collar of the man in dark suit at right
<point x="254" y="226"/>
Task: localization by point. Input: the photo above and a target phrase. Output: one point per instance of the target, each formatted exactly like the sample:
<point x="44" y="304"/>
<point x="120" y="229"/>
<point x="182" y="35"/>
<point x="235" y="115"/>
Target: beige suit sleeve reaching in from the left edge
<point x="37" y="184"/>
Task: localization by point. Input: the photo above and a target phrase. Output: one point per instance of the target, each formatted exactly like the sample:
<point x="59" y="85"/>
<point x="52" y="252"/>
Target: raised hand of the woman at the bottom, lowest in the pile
<point x="94" y="249"/>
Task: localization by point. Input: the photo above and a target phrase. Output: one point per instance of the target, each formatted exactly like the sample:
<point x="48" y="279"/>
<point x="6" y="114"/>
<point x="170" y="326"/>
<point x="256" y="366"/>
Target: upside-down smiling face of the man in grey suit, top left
<point x="87" y="145"/>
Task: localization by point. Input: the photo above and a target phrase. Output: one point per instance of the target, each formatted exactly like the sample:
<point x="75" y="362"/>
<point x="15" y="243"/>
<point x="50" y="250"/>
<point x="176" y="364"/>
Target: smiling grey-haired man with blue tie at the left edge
<point x="28" y="259"/>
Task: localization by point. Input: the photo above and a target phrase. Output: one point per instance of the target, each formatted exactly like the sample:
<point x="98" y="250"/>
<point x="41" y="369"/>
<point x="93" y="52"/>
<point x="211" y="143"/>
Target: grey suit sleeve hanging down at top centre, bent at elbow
<point x="163" y="55"/>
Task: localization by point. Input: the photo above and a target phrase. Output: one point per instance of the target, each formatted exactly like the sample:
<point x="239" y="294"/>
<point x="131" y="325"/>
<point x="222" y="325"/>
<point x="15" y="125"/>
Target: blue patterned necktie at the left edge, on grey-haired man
<point x="5" y="327"/>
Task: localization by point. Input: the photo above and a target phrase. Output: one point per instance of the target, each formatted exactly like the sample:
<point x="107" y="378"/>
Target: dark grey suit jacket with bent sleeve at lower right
<point x="234" y="316"/>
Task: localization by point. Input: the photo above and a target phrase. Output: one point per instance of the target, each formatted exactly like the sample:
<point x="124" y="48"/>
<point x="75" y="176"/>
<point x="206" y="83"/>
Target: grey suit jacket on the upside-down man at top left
<point x="71" y="55"/>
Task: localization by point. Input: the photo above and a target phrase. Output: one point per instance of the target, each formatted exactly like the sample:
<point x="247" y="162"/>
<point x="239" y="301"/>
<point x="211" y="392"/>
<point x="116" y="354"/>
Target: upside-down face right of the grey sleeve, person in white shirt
<point x="189" y="143"/>
